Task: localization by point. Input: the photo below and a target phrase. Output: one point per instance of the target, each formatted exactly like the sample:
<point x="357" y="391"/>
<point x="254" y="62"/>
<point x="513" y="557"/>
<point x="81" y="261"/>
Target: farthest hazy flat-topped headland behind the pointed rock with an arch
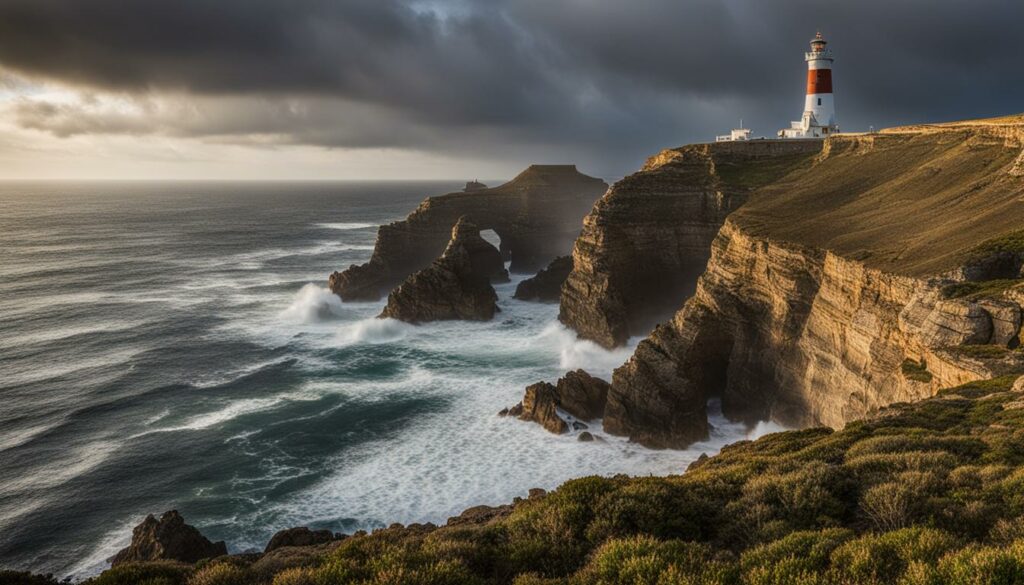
<point x="537" y="216"/>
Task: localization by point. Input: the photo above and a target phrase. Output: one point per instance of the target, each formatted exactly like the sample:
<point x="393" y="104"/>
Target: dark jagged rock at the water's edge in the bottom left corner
<point x="168" y="539"/>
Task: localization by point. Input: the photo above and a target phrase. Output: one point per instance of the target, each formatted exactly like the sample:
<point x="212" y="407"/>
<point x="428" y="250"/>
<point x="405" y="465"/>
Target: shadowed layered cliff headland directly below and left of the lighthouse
<point x="649" y="239"/>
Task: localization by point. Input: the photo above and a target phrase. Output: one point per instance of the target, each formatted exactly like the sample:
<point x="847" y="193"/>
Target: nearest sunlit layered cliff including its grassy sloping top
<point x="889" y="269"/>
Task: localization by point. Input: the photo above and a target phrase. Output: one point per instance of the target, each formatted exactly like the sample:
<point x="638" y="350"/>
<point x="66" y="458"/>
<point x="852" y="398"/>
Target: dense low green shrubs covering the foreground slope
<point x="931" y="492"/>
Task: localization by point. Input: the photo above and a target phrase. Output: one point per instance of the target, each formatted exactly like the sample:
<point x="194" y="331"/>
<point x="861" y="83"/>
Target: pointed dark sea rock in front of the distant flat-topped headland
<point x="456" y="286"/>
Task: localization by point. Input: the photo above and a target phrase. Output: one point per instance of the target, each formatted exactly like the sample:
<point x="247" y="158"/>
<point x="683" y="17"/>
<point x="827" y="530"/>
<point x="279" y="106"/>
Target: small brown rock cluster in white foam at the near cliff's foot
<point x="578" y="394"/>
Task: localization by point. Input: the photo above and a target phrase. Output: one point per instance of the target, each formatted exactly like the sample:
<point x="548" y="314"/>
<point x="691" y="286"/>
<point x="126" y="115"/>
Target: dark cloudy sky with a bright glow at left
<point x="453" y="90"/>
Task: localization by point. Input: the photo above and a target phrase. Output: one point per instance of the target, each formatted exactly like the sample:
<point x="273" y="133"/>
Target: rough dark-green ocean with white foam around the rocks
<point x="173" y="346"/>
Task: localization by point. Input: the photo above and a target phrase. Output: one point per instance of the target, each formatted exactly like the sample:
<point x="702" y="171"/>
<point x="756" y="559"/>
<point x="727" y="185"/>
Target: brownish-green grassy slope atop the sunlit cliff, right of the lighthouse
<point x="915" y="200"/>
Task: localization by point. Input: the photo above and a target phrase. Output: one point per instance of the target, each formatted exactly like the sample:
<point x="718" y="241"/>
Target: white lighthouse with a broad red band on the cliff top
<point x="819" y="120"/>
